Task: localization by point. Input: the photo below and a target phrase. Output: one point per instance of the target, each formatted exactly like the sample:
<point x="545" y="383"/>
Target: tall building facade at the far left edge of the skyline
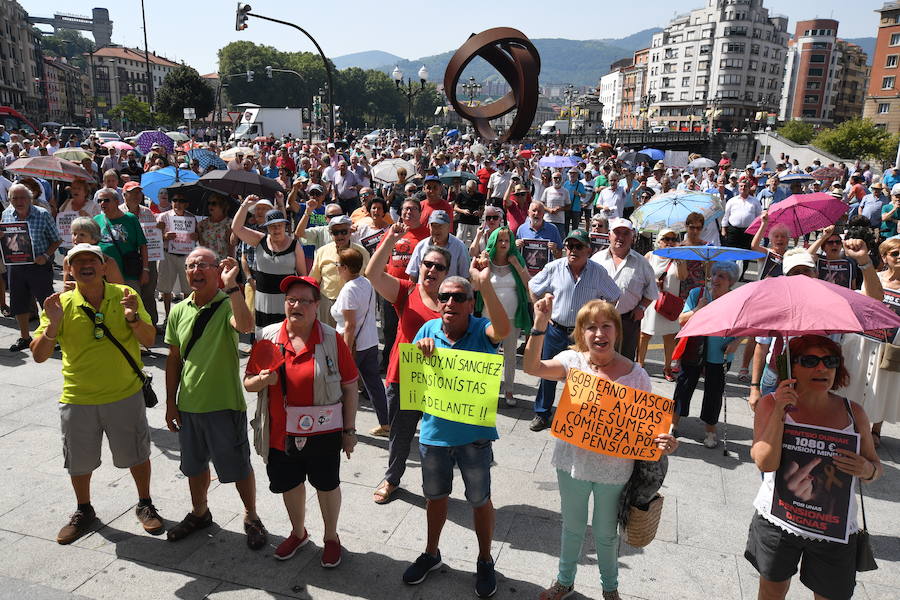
<point x="21" y="65"/>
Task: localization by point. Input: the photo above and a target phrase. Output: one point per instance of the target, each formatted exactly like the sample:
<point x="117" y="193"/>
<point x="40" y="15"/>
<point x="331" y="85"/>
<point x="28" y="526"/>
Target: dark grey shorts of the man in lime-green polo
<point x="220" y="436"/>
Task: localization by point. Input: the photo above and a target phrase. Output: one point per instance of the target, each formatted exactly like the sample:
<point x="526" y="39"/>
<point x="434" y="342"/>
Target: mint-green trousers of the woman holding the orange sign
<point x="574" y="495"/>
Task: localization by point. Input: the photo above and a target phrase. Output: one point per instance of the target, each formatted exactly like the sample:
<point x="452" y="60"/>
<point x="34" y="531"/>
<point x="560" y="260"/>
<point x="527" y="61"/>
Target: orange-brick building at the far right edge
<point x="882" y="103"/>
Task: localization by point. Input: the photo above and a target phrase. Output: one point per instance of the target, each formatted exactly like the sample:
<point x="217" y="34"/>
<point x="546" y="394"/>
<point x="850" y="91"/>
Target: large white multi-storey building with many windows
<point x="718" y="66"/>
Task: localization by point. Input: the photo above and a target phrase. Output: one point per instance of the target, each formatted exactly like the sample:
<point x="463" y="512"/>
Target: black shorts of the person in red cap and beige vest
<point x="319" y="460"/>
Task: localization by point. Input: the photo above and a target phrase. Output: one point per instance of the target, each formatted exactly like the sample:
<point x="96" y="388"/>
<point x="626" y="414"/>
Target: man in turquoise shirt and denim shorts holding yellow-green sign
<point x="443" y="443"/>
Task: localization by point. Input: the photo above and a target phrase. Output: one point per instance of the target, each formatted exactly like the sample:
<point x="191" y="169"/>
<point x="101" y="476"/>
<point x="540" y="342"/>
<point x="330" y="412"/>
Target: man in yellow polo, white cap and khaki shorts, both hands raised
<point x="101" y="392"/>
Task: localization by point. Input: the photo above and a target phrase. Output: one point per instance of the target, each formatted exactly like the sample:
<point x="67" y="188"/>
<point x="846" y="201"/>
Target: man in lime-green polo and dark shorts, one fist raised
<point x="204" y="397"/>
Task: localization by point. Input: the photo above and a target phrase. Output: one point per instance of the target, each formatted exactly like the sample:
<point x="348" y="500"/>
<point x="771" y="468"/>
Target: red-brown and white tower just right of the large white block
<point x="812" y="73"/>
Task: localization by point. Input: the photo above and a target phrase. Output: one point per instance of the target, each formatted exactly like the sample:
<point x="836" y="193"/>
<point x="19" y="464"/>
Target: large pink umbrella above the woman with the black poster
<point x="794" y="305"/>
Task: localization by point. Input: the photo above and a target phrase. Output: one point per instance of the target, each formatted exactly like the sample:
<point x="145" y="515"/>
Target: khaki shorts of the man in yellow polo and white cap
<point x="125" y="424"/>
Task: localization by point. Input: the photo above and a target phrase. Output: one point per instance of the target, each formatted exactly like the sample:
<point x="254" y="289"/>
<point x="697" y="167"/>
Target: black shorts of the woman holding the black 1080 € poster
<point x="827" y="568"/>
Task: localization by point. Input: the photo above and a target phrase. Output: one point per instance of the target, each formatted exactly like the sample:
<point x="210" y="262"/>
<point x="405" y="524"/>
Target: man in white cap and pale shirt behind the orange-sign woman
<point x="634" y="277"/>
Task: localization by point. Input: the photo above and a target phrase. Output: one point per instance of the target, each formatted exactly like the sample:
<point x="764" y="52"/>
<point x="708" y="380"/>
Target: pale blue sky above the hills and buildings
<point x="193" y="31"/>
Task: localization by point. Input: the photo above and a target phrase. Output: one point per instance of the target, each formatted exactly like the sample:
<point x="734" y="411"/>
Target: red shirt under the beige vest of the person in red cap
<point x="299" y="368"/>
